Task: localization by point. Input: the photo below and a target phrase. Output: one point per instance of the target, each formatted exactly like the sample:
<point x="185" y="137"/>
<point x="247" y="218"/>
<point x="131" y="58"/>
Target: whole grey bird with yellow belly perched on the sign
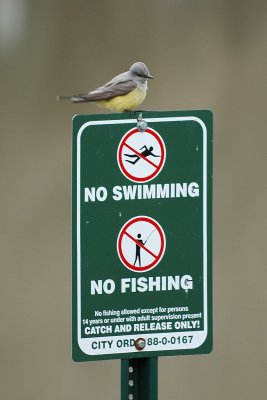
<point x="125" y="92"/>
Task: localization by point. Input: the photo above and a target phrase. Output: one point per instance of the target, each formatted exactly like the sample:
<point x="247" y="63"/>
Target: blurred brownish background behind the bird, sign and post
<point x="204" y="54"/>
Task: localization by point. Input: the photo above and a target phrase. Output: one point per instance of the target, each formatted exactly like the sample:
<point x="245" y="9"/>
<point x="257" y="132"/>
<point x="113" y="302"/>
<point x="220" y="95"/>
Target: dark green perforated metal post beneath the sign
<point x="139" y="379"/>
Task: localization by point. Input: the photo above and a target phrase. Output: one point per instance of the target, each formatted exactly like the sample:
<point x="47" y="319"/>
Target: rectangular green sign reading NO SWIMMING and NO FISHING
<point x="142" y="235"/>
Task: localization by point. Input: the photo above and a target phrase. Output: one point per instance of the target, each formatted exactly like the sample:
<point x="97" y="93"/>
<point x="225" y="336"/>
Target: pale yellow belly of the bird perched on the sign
<point x="126" y="102"/>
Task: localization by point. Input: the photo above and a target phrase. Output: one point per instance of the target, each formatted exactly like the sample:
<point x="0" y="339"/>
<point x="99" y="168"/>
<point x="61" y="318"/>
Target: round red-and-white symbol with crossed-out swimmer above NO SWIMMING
<point x="141" y="155"/>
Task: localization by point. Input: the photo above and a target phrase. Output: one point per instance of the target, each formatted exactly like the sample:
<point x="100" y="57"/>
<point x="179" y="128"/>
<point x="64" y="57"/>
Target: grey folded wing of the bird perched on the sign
<point x="118" y="86"/>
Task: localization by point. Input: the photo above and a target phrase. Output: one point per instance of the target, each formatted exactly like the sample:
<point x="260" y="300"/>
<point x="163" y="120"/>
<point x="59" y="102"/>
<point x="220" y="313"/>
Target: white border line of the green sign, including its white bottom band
<point x="199" y="337"/>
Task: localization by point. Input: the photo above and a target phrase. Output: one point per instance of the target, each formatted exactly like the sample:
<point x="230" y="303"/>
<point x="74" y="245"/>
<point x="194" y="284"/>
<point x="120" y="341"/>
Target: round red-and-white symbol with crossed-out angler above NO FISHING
<point x="141" y="244"/>
